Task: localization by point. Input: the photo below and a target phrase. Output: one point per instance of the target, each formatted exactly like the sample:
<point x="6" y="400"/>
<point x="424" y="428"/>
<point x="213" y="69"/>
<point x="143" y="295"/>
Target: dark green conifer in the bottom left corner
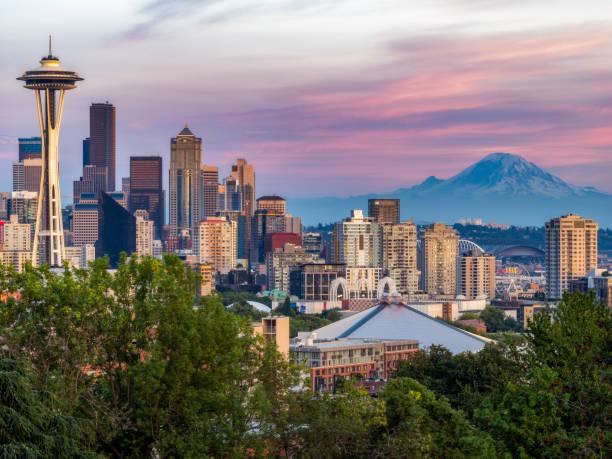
<point x="30" y="423"/>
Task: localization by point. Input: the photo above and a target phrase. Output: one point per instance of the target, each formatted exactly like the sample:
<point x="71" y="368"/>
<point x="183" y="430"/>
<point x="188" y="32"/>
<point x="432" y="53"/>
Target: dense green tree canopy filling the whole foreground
<point x="137" y="368"/>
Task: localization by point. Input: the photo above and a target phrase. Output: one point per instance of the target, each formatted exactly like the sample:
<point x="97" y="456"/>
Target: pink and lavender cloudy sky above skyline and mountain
<point x="325" y="97"/>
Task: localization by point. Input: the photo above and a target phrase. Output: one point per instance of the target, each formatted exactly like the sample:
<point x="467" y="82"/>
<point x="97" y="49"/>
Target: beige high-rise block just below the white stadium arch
<point x="476" y="275"/>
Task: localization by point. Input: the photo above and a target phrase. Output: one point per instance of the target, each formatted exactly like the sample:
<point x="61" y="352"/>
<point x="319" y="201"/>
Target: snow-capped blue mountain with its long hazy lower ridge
<point x="501" y="187"/>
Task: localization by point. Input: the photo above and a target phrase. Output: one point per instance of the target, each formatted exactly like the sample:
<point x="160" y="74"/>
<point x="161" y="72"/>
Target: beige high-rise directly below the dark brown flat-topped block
<point x="399" y="255"/>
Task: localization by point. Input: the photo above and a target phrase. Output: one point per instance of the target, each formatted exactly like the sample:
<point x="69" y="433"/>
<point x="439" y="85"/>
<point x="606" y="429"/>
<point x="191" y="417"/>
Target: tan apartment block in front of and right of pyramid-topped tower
<point x="216" y="244"/>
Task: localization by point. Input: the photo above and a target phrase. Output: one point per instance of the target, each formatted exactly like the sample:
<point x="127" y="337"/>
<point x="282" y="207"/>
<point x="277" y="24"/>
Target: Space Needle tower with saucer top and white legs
<point x="50" y="81"/>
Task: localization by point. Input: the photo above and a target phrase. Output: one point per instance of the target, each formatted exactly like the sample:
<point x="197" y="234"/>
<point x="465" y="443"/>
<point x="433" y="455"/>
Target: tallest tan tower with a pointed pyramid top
<point x="185" y="162"/>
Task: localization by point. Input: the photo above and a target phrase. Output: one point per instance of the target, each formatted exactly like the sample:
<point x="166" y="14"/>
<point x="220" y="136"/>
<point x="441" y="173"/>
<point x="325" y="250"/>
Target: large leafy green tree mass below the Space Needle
<point x="131" y="352"/>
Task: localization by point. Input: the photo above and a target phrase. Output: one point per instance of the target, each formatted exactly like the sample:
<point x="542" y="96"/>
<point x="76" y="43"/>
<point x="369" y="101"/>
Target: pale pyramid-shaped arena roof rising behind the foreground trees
<point x="394" y="320"/>
